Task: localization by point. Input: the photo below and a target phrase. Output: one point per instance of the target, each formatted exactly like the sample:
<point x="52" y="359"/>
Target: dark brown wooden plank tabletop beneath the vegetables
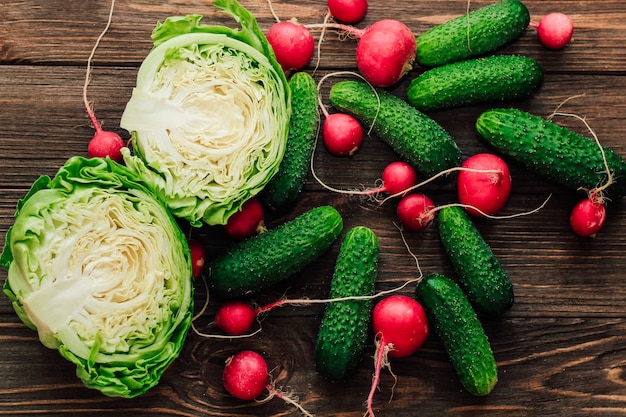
<point x="561" y="349"/>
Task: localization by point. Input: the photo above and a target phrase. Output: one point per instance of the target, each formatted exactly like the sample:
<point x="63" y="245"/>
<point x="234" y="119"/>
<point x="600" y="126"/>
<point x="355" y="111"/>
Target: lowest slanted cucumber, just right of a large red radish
<point x="462" y="335"/>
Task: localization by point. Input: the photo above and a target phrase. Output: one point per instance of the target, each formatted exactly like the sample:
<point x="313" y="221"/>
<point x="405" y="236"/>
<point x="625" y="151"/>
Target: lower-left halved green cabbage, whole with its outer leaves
<point x="110" y="288"/>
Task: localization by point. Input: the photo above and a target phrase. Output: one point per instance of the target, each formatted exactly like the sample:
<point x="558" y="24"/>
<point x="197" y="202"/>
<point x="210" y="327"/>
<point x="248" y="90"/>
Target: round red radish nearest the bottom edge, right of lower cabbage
<point x="245" y="375"/>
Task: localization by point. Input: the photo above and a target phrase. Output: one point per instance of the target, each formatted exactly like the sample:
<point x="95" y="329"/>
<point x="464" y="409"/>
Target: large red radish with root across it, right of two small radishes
<point x="485" y="191"/>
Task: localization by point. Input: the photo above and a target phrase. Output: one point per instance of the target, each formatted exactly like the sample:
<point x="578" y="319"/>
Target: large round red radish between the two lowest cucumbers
<point x="400" y="322"/>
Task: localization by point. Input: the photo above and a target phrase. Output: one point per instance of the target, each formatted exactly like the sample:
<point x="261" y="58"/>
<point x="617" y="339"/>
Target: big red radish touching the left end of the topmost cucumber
<point x="385" y="52"/>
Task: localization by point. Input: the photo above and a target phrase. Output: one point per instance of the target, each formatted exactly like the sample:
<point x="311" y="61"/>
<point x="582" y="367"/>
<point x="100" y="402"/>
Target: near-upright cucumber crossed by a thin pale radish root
<point x="344" y="328"/>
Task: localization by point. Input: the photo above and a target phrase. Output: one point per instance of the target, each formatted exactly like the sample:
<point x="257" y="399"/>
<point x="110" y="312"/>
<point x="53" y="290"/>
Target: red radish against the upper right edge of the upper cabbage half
<point x="292" y="43"/>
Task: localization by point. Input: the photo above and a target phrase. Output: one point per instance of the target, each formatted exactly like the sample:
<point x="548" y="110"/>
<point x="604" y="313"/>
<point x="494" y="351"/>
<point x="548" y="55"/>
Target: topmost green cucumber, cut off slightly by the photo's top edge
<point x="476" y="33"/>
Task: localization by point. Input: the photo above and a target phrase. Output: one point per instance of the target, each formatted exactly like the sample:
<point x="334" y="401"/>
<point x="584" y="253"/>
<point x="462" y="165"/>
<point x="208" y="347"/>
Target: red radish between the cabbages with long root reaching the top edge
<point x="104" y="143"/>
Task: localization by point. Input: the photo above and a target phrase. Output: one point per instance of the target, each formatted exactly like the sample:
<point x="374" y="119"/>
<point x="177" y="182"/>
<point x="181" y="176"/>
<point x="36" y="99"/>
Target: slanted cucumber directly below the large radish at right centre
<point x="480" y="273"/>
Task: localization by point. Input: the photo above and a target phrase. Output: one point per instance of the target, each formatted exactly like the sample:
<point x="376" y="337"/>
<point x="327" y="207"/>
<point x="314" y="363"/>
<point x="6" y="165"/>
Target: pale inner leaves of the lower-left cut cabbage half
<point x="106" y="266"/>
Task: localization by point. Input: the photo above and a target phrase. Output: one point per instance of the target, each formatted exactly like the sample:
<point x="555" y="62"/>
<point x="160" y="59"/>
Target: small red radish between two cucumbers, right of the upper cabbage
<point x="342" y="134"/>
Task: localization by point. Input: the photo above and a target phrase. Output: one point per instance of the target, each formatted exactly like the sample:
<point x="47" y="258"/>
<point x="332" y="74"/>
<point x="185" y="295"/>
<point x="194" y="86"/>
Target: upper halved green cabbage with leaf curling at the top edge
<point x="209" y="115"/>
